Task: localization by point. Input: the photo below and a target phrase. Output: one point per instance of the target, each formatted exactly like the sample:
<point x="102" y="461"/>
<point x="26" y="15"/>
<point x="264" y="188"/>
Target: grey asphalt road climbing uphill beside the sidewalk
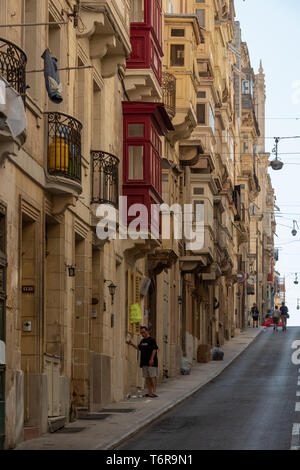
<point x="250" y="406"/>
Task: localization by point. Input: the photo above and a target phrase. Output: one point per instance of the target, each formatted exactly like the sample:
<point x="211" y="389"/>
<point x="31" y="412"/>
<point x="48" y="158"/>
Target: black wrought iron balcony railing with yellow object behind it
<point x="64" y="146"/>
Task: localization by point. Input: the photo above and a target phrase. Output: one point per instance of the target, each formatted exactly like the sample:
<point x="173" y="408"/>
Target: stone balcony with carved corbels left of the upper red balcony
<point x="108" y="32"/>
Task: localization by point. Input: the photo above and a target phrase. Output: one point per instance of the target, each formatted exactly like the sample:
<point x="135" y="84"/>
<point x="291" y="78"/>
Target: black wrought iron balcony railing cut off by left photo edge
<point x="13" y="66"/>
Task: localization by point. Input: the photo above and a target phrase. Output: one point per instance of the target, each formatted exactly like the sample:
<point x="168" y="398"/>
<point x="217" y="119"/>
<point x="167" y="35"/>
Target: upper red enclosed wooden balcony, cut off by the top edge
<point x="145" y="37"/>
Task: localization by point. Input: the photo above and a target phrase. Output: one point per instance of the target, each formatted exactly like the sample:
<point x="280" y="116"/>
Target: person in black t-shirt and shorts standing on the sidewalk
<point x="149" y="360"/>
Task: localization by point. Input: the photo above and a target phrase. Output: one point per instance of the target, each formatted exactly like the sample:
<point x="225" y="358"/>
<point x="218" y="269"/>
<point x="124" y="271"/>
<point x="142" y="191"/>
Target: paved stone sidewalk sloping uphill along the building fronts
<point x="130" y="416"/>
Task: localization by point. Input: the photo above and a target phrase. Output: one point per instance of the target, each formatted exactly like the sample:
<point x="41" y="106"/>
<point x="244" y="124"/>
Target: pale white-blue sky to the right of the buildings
<point x="271" y="29"/>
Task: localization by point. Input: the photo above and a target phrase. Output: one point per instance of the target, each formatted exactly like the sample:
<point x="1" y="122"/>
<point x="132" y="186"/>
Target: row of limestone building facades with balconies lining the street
<point x="156" y="95"/>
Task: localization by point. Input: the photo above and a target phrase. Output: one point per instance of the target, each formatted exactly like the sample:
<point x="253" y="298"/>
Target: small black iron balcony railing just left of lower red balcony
<point x="105" y="186"/>
